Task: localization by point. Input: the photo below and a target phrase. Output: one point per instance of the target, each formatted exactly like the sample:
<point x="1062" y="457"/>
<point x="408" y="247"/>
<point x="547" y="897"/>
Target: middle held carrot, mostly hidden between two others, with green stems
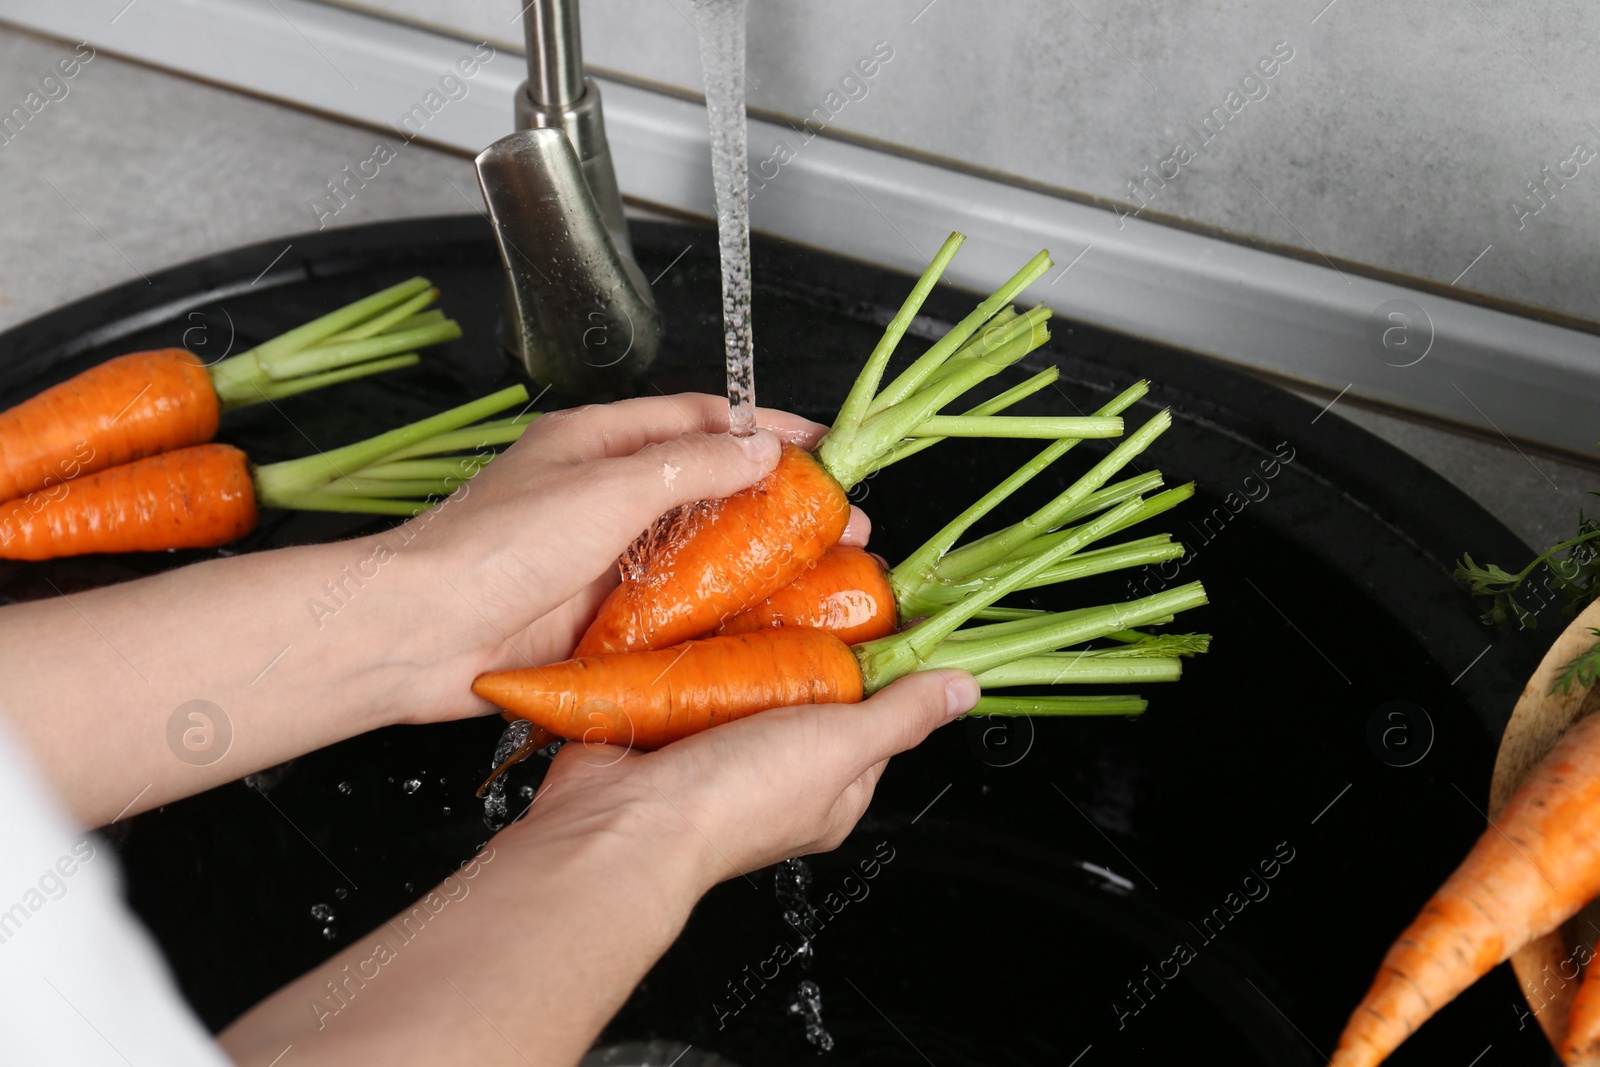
<point x="852" y="596"/>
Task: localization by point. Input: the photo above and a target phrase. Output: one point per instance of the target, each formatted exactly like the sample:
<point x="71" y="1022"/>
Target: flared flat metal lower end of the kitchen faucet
<point x="582" y="314"/>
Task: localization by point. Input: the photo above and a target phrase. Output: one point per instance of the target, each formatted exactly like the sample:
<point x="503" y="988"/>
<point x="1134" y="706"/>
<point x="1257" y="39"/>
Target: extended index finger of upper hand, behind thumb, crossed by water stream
<point x="626" y="426"/>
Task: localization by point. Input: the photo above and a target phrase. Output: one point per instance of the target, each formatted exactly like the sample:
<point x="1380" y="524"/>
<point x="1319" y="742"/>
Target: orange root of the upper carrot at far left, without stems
<point x="126" y="409"/>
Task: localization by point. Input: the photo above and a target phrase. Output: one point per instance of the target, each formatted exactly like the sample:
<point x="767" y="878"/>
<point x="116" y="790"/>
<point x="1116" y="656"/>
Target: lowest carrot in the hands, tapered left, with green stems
<point x="657" y="697"/>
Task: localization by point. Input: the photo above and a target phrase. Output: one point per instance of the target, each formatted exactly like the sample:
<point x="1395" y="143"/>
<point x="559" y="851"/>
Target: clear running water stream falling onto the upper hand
<point x="722" y="58"/>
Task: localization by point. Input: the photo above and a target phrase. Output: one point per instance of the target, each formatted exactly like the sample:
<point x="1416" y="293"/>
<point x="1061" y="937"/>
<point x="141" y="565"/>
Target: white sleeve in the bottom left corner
<point x="81" y="980"/>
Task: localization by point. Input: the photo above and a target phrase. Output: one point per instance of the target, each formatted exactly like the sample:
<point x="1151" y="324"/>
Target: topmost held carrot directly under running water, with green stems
<point x="700" y="567"/>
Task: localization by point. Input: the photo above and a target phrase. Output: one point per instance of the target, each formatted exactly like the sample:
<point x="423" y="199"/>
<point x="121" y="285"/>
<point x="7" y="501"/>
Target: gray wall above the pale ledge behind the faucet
<point x="1399" y="137"/>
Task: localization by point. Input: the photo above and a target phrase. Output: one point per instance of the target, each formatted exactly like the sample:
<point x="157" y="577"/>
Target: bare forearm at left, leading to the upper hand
<point x="98" y="682"/>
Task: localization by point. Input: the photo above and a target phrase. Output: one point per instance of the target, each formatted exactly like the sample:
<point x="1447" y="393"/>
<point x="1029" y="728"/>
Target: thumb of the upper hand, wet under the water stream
<point x="692" y="468"/>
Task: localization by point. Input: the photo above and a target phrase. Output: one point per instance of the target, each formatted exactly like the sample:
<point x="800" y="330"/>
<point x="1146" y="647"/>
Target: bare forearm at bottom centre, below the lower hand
<point x="519" y="959"/>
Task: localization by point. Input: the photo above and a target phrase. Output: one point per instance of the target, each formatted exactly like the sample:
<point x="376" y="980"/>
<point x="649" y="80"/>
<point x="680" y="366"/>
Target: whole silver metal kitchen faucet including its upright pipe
<point x="580" y="316"/>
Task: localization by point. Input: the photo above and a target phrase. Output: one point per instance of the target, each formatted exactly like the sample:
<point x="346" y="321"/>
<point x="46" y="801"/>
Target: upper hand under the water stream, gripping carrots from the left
<point x="511" y="572"/>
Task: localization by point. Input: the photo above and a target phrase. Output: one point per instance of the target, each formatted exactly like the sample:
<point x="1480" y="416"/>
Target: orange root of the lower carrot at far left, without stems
<point x="191" y="498"/>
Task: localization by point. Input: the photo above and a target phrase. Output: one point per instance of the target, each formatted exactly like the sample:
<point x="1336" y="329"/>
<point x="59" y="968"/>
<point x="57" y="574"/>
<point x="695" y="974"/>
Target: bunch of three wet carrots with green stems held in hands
<point x="735" y="607"/>
